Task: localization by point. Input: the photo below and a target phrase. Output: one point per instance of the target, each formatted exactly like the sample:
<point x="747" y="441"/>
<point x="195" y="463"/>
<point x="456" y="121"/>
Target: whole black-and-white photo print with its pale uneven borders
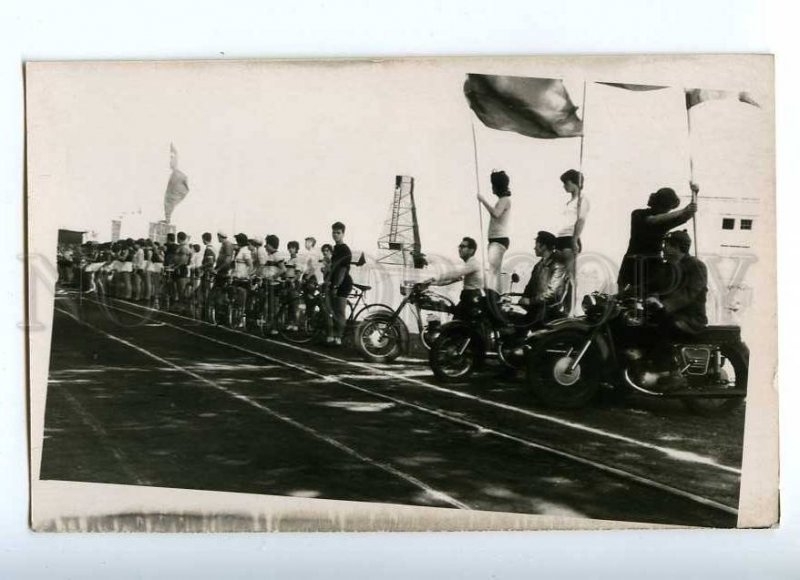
<point x="467" y="293"/>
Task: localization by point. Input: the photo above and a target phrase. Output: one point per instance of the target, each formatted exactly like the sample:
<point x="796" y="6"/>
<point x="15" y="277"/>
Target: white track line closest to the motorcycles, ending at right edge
<point x="681" y="455"/>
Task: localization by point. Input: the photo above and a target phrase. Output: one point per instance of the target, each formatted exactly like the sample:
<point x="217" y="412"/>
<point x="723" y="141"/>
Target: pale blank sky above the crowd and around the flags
<point x="290" y="149"/>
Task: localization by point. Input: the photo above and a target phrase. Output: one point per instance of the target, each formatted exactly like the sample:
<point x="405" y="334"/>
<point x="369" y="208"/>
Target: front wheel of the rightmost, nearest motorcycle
<point x="549" y="376"/>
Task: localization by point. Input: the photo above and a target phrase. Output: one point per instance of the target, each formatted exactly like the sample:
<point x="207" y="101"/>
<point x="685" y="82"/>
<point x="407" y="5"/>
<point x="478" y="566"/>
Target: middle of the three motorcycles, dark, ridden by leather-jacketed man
<point x="485" y="326"/>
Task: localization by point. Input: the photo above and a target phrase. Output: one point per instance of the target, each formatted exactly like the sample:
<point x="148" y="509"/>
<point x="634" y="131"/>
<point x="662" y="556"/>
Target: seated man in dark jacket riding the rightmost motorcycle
<point x="679" y="309"/>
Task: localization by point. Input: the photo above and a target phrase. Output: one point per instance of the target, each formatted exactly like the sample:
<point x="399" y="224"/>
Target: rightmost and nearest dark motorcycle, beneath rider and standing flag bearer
<point x="569" y="359"/>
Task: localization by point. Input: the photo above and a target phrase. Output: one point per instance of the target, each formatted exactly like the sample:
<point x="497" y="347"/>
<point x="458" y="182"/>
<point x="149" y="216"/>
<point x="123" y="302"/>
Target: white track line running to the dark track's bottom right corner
<point x="477" y="426"/>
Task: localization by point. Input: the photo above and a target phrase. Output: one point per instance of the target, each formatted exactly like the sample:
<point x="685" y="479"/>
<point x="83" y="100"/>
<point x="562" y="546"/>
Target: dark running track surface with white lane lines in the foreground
<point x="146" y="398"/>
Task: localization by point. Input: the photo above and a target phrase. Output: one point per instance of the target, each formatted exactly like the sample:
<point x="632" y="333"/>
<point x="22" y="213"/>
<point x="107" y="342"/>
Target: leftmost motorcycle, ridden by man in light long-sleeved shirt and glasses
<point x="382" y="337"/>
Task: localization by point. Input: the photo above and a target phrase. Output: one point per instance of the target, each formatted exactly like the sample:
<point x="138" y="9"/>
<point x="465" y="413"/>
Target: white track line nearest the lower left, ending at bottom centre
<point x="317" y="435"/>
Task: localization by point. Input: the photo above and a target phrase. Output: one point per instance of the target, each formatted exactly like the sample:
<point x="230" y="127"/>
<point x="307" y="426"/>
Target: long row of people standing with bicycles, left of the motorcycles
<point x="179" y="271"/>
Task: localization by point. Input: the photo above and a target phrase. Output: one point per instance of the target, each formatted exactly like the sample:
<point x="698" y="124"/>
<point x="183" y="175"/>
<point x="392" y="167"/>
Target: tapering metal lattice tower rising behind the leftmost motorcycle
<point x="399" y="244"/>
